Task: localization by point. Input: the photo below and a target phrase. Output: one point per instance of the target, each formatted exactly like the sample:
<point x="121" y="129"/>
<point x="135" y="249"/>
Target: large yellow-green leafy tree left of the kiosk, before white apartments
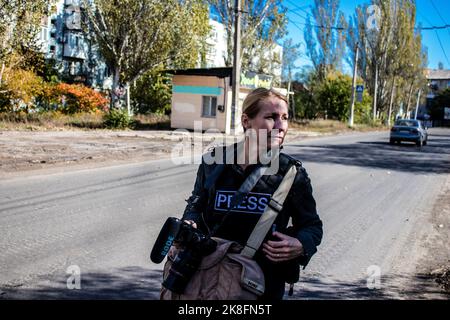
<point x="137" y="36"/>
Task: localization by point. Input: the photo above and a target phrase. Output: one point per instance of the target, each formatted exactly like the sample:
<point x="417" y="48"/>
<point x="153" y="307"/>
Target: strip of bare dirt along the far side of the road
<point x="23" y="153"/>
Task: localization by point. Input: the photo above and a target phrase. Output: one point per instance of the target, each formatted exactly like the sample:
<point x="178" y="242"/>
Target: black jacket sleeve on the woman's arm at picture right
<point x="307" y="226"/>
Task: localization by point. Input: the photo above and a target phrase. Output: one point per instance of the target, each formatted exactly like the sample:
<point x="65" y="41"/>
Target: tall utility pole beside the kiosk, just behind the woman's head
<point x="236" y="64"/>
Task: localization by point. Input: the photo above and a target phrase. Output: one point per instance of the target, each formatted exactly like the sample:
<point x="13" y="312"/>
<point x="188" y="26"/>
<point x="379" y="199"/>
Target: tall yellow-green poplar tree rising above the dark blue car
<point x="391" y="56"/>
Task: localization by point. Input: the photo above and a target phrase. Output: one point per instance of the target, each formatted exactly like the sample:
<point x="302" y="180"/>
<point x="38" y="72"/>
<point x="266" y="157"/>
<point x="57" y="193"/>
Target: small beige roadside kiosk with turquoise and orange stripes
<point x="202" y="98"/>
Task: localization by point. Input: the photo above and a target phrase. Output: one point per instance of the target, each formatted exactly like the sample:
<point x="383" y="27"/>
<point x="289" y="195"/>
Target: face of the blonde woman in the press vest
<point x="272" y="117"/>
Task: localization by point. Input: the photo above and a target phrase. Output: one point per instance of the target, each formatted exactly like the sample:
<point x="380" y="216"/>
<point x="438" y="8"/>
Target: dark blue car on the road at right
<point x="409" y="130"/>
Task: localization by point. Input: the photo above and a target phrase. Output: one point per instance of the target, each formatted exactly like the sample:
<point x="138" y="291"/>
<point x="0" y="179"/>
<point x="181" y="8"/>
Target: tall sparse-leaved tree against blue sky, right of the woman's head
<point x="325" y="44"/>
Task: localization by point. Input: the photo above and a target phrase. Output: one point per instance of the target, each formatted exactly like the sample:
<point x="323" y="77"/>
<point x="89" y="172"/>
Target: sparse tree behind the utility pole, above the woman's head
<point x="263" y="24"/>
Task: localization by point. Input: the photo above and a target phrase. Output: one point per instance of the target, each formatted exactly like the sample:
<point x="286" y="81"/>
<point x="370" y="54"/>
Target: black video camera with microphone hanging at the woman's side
<point x="195" y="245"/>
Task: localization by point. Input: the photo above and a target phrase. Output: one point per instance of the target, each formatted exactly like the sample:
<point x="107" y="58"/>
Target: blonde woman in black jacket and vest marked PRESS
<point x="265" y="112"/>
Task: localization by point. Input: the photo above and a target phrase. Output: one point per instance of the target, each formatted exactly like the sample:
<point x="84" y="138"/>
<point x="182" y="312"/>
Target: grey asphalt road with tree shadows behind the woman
<point x="375" y="201"/>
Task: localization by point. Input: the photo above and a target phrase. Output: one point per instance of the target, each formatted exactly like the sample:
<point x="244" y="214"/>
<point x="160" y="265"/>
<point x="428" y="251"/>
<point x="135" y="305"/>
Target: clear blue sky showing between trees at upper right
<point x="426" y="14"/>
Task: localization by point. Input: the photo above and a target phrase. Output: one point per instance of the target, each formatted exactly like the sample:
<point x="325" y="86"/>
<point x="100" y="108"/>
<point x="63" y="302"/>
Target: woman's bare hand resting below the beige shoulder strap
<point x="287" y="248"/>
